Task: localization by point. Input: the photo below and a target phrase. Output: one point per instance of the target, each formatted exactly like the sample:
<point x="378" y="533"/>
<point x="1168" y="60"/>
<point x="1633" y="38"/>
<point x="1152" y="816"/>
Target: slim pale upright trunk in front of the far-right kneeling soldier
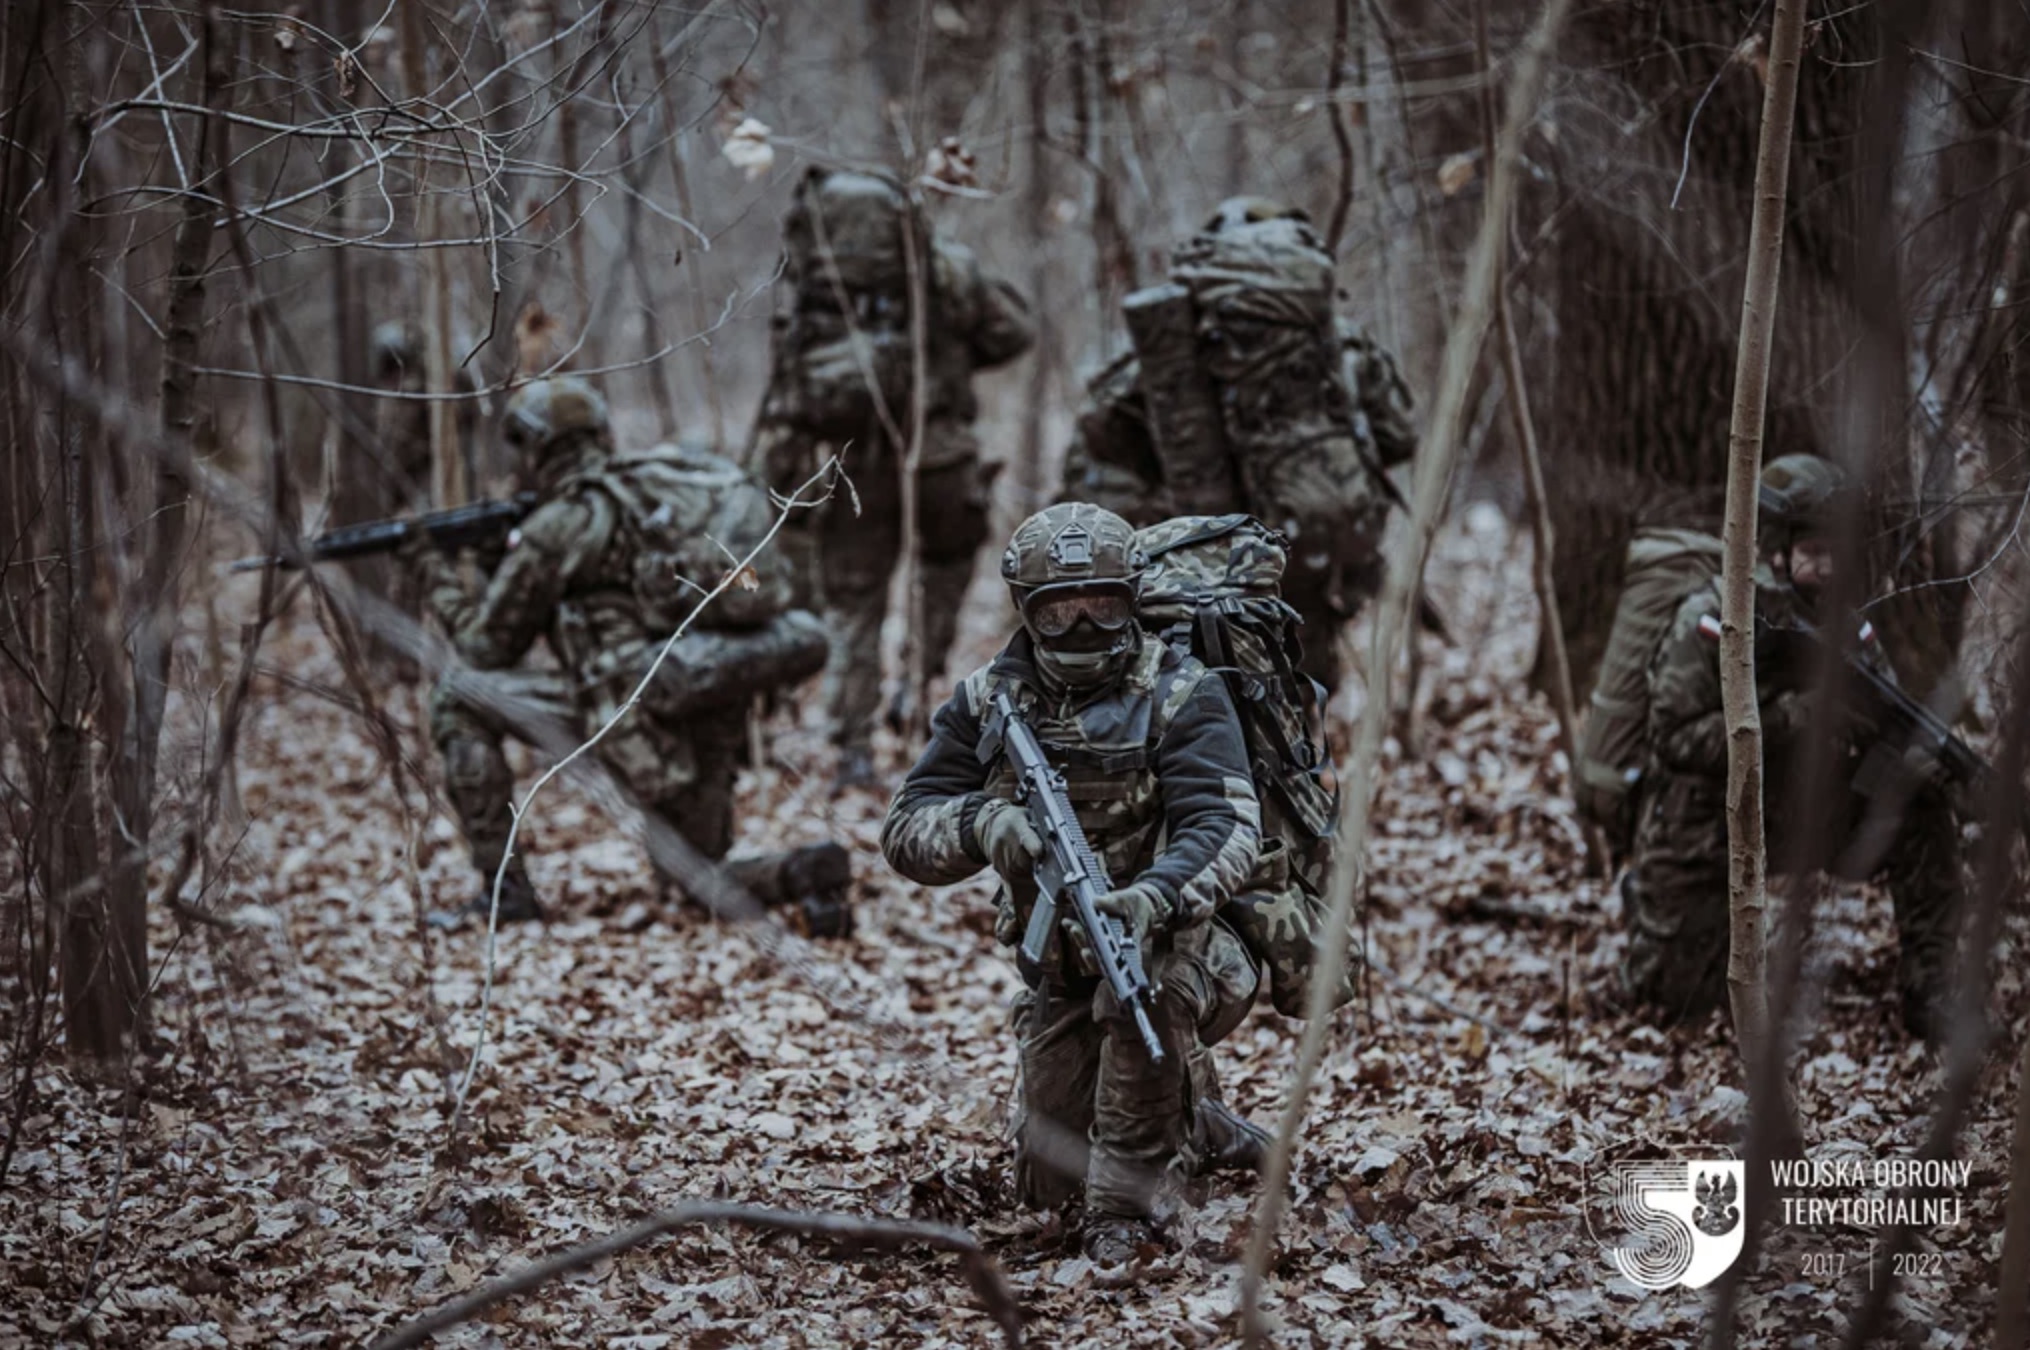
<point x="1747" y="856"/>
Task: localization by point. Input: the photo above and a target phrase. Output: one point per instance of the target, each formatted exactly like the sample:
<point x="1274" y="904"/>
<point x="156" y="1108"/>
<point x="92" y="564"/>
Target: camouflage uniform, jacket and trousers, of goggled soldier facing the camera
<point x="1158" y="777"/>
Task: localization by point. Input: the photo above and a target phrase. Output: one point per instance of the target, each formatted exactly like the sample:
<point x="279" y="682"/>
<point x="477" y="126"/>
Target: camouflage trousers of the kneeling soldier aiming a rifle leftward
<point x="683" y="774"/>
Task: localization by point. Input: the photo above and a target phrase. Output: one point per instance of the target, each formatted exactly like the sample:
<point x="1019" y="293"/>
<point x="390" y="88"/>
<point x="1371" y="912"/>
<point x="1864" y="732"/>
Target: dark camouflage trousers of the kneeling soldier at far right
<point x="1676" y="896"/>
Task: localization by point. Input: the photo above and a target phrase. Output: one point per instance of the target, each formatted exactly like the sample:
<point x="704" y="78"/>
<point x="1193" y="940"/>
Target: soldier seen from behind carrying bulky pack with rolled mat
<point x="1245" y="395"/>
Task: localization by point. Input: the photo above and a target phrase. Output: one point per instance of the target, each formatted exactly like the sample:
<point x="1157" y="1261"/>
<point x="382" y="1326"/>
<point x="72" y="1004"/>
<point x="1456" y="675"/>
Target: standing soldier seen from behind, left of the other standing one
<point x="841" y="383"/>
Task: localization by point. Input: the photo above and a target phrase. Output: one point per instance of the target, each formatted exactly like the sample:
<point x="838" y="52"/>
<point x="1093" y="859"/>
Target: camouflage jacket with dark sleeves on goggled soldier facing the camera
<point x="1156" y="768"/>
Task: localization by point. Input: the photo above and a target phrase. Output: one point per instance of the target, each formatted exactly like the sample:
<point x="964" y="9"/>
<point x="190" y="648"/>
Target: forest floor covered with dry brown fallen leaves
<point x="287" y="1174"/>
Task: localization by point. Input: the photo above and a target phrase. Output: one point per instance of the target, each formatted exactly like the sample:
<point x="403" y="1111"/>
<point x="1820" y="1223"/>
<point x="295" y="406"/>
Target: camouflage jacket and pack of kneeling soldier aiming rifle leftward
<point x="584" y="569"/>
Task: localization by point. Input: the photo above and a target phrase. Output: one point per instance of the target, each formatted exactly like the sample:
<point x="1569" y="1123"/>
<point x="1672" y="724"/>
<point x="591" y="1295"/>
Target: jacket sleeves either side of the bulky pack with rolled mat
<point x="1111" y="458"/>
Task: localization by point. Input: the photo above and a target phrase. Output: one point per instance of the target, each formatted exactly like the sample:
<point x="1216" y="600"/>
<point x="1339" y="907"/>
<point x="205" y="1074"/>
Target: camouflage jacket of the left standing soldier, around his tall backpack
<point x="977" y="322"/>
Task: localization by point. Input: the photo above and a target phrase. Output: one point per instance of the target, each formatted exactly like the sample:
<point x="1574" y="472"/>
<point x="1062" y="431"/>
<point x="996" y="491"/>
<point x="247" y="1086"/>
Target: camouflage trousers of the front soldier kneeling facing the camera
<point x="1095" y="1109"/>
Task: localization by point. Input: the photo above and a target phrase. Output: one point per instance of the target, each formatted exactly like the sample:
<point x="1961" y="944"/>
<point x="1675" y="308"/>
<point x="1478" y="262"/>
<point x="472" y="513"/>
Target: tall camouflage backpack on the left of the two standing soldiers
<point x="843" y="318"/>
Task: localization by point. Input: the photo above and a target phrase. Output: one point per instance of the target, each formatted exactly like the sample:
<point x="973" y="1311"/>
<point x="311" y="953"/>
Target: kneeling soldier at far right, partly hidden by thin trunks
<point x="1676" y="890"/>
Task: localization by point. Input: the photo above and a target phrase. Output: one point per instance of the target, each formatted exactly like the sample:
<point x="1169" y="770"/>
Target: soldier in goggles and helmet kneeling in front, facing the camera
<point x="1158" y="774"/>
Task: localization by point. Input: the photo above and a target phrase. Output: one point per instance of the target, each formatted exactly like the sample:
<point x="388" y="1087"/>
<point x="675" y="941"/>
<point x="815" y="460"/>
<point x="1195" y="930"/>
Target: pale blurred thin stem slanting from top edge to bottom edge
<point x="1392" y="622"/>
